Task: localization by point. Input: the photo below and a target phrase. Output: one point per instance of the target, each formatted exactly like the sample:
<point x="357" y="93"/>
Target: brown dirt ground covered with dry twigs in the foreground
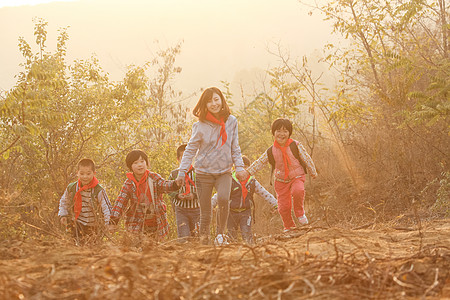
<point x="375" y="262"/>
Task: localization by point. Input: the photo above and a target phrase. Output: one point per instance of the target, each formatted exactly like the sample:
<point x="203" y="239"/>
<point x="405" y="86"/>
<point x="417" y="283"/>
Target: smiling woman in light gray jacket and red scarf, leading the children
<point x="214" y="143"/>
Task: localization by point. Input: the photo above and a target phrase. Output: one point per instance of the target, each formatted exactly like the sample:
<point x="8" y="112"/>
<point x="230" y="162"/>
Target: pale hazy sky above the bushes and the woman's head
<point x="222" y="39"/>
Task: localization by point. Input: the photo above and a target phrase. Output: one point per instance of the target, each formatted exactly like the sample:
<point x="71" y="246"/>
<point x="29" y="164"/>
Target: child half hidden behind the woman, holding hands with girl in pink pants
<point x="242" y="203"/>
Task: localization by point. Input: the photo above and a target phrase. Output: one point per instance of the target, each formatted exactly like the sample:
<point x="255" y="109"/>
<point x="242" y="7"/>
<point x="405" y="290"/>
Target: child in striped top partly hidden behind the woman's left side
<point x="185" y="201"/>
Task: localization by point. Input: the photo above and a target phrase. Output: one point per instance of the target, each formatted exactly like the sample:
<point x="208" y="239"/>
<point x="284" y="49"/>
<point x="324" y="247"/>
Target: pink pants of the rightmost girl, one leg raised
<point x="295" y="191"/>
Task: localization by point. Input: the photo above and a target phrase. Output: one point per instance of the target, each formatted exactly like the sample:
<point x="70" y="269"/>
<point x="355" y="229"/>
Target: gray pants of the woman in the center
<point x="205" y="185"/>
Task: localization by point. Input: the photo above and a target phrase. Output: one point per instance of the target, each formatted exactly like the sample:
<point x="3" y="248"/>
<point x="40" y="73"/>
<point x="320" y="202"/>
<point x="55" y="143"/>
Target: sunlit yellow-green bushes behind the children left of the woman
<point x="58" y="113"/>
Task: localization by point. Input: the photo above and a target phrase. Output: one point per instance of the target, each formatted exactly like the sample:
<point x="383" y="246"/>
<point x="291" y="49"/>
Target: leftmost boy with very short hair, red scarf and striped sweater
<point x="83" y="200"/>
